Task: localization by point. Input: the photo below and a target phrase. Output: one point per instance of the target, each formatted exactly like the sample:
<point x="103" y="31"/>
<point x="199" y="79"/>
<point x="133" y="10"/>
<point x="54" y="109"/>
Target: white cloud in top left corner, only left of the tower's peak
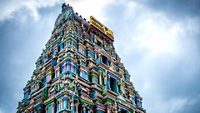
<point x="10" y="7"/>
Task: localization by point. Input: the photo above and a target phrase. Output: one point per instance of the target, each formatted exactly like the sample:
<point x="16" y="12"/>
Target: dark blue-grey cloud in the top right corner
<point x="177" y="8"/>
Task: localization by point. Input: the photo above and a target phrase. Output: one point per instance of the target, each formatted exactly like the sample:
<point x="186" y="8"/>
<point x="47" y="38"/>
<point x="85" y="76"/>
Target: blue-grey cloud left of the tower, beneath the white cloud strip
<point x="21" y="41"/>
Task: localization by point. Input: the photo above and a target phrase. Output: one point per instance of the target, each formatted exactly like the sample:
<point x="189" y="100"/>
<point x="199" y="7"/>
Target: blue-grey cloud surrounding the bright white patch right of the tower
<point x="173" y="80"/>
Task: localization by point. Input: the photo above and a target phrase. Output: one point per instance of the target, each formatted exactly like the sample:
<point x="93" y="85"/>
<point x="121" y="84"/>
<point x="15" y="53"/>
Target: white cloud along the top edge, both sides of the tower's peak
<point x="90" y="7"/>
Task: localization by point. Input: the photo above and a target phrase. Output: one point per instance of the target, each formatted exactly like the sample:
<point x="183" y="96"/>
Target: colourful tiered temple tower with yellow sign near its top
<point x="80" y="72"/>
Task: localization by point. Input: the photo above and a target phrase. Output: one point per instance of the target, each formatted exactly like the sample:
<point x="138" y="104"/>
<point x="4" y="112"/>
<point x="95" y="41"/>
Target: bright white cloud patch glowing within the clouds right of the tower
<point x="151" y="31"/>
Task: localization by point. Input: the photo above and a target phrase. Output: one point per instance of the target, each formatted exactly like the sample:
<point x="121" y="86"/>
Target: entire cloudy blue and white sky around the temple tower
<point x="157" y="40"/>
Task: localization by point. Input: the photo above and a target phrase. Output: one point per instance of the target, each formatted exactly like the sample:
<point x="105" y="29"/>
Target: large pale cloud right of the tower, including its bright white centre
<point x="161" y="53"/>
